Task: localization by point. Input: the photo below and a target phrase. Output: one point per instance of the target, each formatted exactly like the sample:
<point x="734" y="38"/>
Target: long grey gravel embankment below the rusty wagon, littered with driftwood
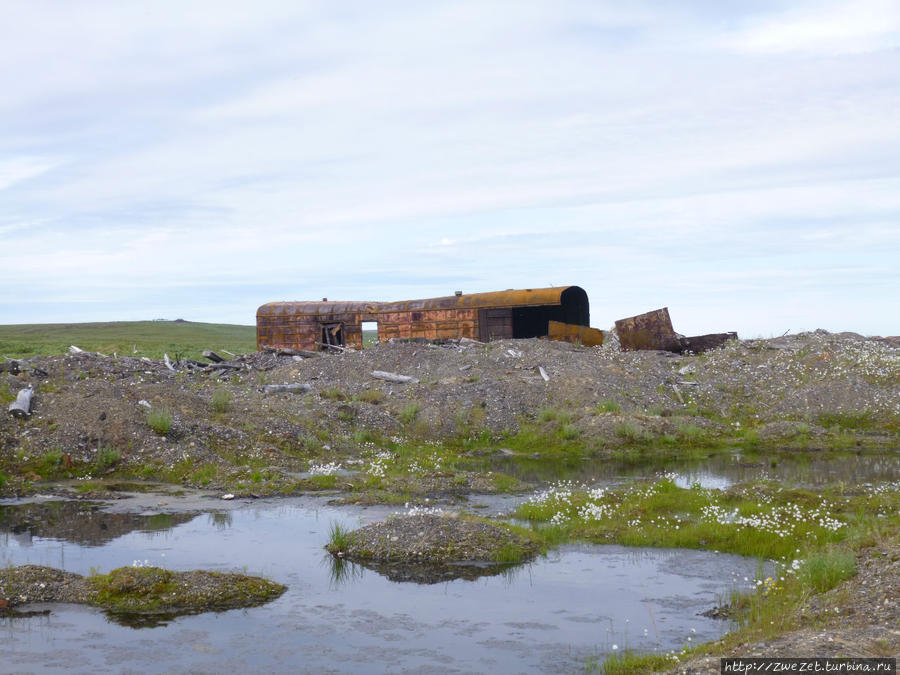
<point x="99" y="411"/>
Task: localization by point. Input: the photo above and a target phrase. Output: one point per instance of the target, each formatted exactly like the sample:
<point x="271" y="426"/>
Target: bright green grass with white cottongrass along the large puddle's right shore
<point x="812" y="539"/>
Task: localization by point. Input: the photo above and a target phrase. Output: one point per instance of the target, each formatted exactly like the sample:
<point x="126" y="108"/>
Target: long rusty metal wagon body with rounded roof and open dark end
<point x="560" y="312"/>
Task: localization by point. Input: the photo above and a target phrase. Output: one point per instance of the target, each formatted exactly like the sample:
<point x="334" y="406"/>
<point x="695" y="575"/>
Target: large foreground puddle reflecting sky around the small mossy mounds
<point x="548" y="616"/>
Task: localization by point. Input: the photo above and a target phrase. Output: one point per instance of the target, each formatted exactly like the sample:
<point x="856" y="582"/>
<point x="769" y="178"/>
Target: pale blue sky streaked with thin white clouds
<point x="738" y="163"/>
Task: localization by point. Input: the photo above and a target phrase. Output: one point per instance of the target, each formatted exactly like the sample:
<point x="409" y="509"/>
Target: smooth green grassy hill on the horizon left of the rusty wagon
<point x="150" y="338"/>
